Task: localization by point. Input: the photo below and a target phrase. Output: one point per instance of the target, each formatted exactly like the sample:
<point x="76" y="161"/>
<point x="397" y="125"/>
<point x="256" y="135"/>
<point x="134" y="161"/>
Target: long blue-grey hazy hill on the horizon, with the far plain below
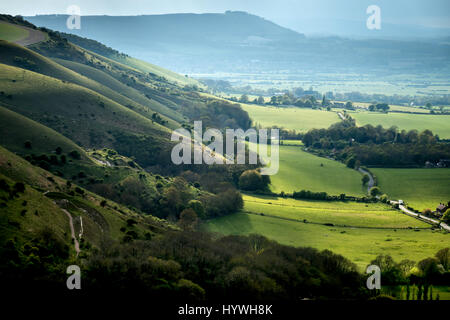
<point x="244" y="43"/>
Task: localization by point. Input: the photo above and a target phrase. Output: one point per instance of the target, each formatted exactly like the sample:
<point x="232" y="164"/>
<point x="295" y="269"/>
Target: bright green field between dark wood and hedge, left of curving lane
<point x="301" y="170"/>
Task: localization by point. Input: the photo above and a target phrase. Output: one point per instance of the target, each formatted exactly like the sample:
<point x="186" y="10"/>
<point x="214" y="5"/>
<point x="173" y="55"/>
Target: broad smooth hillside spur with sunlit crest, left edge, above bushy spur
<point x="86" y="117"/>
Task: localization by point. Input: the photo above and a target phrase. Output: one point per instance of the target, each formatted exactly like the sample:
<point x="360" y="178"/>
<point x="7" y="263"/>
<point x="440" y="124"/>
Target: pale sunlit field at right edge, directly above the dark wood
<point x="439" y="124"/>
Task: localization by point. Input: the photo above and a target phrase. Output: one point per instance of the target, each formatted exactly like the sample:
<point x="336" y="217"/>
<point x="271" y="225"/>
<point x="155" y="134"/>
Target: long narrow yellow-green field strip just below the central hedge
<point x="374" y="215"/>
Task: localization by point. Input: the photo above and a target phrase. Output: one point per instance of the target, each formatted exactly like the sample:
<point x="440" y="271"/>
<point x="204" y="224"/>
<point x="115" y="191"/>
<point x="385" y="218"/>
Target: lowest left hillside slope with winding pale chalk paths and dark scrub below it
<point x="40" y="206"/>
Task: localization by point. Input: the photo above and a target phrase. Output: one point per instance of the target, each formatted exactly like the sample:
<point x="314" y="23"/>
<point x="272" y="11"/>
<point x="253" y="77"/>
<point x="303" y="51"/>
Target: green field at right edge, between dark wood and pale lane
<point x="420" y="188"/>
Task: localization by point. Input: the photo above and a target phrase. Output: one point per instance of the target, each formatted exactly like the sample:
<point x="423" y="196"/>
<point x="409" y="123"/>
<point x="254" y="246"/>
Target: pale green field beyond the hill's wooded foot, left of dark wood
<point x="299" y="119"/>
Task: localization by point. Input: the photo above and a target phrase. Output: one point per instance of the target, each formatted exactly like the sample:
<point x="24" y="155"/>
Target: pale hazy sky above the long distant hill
<point x="431" y="13"/>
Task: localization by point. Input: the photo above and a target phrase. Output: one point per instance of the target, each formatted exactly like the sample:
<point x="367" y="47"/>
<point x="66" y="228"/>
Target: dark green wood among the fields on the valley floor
<point x="371" y="145"/>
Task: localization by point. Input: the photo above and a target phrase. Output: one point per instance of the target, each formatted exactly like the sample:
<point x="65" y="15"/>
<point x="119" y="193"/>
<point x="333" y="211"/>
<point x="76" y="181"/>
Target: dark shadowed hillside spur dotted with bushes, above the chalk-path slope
<point x="103" y="171"/>
